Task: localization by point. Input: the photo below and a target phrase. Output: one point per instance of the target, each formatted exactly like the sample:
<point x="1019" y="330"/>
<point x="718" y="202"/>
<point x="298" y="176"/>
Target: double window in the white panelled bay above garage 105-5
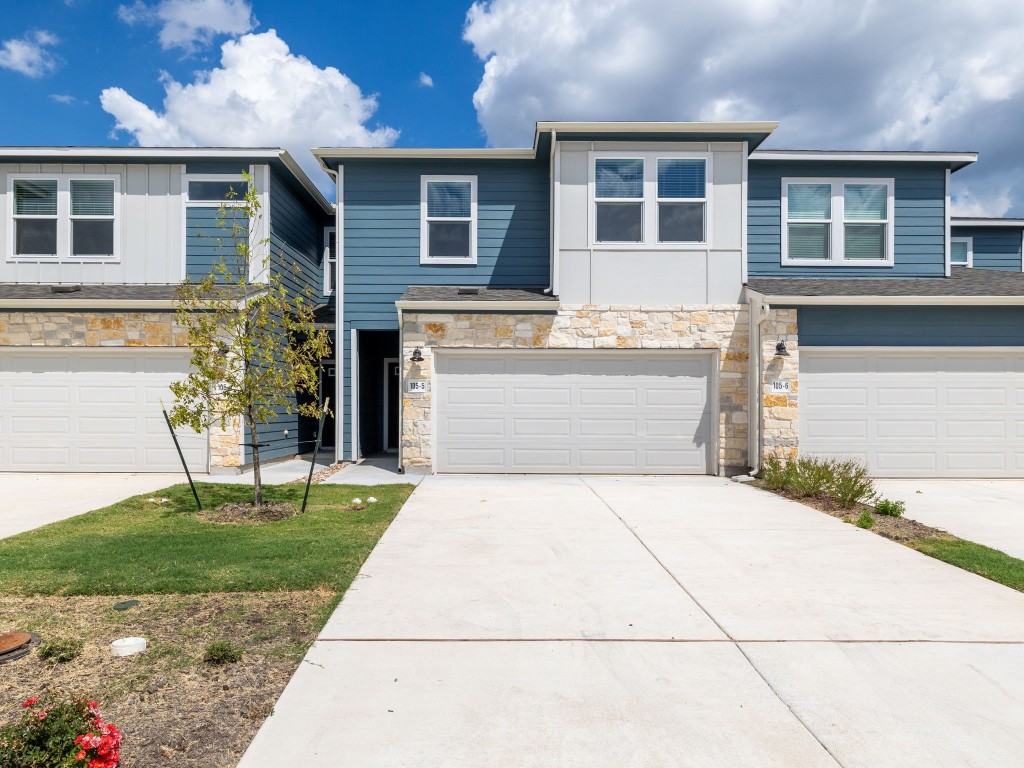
<point x="651" y="199"/>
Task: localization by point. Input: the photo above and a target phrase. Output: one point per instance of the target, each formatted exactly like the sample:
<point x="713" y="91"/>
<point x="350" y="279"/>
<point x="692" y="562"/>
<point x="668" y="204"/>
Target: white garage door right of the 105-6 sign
<point x="947" y="413"/>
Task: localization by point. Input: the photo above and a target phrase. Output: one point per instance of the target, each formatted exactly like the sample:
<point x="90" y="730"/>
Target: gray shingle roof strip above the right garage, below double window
<point x="963" y="282"/>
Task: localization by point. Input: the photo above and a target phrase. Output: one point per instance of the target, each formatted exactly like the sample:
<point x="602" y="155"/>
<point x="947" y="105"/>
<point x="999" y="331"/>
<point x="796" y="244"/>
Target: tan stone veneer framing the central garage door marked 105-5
<point x="587" y="327"/>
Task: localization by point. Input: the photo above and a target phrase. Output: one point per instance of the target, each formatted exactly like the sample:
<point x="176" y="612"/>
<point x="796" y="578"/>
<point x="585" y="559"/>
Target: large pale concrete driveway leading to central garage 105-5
<point x="651" y="622"/>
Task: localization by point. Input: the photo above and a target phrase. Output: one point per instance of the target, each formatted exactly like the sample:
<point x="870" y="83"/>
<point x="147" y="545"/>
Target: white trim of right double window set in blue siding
<point x="838" y="222"/>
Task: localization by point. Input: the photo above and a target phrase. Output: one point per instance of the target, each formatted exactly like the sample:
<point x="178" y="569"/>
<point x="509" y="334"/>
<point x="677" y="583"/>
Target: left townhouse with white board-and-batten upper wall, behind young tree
<point x="97" y="241"/>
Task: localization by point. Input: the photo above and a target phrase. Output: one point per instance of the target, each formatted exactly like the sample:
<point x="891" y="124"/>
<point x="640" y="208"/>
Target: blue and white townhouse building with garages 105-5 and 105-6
<point x="666" y="298"/>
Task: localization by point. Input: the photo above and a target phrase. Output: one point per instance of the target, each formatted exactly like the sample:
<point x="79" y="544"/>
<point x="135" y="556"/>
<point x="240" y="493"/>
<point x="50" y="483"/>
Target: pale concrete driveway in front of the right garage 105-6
<point x="990" y="513"/>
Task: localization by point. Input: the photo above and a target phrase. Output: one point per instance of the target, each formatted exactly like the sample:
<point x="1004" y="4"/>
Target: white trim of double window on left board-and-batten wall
<point x="64" y="220"/>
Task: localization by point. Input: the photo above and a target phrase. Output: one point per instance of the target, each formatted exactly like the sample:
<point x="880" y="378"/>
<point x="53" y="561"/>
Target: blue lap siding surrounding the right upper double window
<point x="920" y="211"/>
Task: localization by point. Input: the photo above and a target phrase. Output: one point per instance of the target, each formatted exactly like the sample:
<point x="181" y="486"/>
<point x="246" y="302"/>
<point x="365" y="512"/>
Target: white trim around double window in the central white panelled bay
<point x="651" y="200"/>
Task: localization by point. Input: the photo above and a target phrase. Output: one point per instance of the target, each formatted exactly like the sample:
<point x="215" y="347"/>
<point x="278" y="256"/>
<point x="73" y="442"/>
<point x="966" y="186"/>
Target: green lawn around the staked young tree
<point x="138" y="547"/>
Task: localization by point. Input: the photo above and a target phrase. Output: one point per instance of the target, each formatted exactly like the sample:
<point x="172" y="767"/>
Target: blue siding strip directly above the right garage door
<point x="911" y="326"/>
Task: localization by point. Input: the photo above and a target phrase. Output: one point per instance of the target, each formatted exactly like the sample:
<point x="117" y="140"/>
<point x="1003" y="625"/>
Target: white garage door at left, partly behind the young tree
<point x="86" y="411"/>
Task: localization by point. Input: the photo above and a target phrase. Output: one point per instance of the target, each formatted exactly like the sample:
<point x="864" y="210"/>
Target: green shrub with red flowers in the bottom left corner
<point x="60" y="733"/>
